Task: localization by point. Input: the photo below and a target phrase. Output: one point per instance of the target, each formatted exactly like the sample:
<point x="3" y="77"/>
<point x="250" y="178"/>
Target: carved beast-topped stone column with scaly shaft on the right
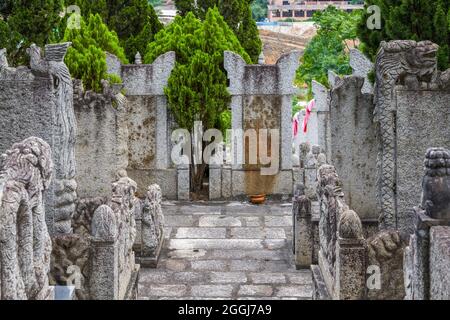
<point x="406" y="62"/>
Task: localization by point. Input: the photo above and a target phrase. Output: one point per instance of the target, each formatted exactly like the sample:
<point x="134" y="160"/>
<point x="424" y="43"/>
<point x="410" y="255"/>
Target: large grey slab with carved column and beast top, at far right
<point x="412" y="112"/>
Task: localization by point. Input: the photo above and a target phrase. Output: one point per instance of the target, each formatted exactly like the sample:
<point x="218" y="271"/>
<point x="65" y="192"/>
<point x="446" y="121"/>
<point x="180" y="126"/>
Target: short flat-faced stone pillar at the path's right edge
<point x="303" y="232"/>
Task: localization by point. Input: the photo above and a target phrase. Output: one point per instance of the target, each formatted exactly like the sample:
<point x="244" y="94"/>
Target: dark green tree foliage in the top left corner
<point x="28" y="21"/>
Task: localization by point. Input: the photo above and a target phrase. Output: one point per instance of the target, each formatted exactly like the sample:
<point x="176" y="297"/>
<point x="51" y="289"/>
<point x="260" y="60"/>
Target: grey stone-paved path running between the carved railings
<point x="226" y="251"/>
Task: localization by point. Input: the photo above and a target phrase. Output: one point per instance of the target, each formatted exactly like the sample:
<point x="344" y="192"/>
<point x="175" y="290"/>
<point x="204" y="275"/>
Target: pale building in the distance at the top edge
<point x="303" y="10"/>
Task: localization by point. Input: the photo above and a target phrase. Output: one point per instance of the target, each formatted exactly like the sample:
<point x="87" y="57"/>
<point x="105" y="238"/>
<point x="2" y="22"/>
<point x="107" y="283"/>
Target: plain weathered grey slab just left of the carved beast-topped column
<point x="354" y="144"/>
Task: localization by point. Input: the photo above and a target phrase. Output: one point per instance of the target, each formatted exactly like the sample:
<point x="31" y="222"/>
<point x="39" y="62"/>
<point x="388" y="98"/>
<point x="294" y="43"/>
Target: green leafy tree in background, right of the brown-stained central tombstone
<point x="328" y="49"/>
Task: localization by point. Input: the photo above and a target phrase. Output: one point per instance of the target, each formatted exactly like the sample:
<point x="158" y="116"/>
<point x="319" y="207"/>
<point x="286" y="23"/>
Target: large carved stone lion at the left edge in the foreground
<point x="25" y="243"/>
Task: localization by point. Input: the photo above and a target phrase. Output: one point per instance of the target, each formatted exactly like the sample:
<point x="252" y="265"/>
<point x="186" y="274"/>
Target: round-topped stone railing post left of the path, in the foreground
<point x="104" y="280"/>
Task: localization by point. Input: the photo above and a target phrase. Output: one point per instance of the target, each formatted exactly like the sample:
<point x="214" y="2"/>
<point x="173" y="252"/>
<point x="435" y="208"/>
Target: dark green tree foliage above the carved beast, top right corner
<point x="408" y="19"/>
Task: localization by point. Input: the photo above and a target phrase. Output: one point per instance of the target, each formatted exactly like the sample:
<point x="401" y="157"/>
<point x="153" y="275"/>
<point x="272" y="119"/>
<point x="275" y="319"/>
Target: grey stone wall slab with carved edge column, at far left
<point x="39" y="102"/>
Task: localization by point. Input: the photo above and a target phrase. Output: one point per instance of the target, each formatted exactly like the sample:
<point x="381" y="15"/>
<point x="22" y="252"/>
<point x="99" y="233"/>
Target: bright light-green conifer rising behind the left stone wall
<point x="86" y="58"/>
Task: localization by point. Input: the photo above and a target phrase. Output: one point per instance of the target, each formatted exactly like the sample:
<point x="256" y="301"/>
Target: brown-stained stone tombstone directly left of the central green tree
<point x="150" y="125"/>
